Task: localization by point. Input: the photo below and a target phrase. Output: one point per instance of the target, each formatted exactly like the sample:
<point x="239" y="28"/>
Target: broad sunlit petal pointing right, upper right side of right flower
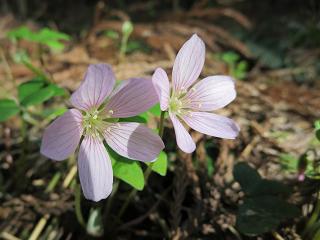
<point x="211" y="93"/>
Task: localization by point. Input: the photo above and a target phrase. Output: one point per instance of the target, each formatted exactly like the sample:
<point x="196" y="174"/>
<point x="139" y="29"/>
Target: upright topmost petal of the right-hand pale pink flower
<point x="188" y="64"/>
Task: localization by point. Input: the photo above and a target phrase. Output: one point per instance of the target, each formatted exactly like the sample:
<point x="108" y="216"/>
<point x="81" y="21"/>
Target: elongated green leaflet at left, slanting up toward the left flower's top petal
<point x="39" y="97"/>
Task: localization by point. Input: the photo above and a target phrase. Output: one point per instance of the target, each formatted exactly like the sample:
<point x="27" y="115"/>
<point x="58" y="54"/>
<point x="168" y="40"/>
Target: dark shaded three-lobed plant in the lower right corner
<point x="259" y="213"/>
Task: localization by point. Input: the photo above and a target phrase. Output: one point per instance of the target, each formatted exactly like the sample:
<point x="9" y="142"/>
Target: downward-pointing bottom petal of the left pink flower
<point x="95" y="169"/>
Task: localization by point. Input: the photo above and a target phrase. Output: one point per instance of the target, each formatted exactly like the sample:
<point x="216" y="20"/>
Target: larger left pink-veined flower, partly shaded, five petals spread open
<point x="95" y="117"/>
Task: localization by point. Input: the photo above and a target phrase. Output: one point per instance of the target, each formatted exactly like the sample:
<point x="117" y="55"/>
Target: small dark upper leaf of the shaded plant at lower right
<point x="246" y="176"/>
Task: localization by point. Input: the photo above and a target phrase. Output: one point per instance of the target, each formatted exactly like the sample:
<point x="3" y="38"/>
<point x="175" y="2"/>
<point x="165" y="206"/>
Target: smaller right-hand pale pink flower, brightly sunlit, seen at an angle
<point x="190" y="102"/>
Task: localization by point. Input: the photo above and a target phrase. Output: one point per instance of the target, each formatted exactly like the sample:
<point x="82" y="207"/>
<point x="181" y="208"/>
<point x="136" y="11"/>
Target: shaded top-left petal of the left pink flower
<point x="96" y="86"/>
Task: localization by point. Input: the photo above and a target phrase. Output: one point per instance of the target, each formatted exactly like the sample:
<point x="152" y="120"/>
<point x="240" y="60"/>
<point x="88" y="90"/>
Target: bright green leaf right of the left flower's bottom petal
<point x="127" y="170"/>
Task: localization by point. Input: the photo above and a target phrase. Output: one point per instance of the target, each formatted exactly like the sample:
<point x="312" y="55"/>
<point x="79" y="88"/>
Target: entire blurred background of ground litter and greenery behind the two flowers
<point x="271" y="48"/>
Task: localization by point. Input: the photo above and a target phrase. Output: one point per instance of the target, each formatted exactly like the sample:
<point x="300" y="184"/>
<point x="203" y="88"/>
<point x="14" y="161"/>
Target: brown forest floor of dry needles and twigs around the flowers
<point x="276" y="106"/>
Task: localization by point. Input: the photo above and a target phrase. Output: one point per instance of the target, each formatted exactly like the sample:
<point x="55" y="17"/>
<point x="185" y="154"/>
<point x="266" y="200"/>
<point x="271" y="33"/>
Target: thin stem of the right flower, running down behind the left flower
<point x="146" y="175"/>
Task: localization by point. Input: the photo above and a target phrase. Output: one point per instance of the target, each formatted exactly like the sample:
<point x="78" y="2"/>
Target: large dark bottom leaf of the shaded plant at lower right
<point x="263" y="214"/>
